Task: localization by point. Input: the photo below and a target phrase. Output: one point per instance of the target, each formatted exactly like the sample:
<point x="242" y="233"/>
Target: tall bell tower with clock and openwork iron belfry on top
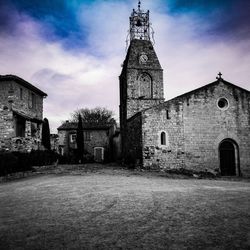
<point x="141" y="79"/>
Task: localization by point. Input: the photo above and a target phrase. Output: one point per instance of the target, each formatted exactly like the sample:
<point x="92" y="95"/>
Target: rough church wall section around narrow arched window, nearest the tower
<point x="166" y="118"/>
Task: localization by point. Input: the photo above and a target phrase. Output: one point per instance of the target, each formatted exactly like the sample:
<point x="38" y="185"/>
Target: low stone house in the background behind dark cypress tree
<point x="97" y="140"/>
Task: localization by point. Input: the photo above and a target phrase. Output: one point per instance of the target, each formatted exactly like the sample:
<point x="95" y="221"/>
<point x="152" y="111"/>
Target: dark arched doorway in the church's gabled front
<point x="228" y="151"/>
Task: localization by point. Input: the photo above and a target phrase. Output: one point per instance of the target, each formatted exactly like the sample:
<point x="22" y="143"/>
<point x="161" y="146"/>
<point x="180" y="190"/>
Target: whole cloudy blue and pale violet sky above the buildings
<point x="73" y="49"/>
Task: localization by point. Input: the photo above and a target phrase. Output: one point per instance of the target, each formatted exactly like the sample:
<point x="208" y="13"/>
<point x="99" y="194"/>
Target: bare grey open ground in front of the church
<point x="97" y="208"/>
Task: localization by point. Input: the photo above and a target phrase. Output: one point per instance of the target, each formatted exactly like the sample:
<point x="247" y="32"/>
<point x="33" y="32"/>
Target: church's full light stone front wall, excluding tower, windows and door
<point x="195" y="126"/>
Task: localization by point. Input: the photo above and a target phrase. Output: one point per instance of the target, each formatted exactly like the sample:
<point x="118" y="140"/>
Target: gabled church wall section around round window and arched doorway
<point x="206" y="125"/>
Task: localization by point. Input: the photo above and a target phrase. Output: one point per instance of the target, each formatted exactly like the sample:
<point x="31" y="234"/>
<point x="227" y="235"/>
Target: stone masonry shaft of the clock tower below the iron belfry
<point x="132" y="84"/>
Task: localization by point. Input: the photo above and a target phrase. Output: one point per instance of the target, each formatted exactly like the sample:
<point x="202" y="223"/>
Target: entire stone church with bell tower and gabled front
<point x="206" y="129"/>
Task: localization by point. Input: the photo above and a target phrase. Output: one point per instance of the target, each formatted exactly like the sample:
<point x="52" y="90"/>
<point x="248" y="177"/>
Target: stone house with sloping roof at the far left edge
<point x="21" y="114"/>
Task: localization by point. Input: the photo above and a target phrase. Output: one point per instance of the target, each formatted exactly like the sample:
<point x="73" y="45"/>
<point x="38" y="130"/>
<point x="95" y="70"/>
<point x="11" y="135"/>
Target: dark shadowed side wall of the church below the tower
<point x="133" y="145"/>
